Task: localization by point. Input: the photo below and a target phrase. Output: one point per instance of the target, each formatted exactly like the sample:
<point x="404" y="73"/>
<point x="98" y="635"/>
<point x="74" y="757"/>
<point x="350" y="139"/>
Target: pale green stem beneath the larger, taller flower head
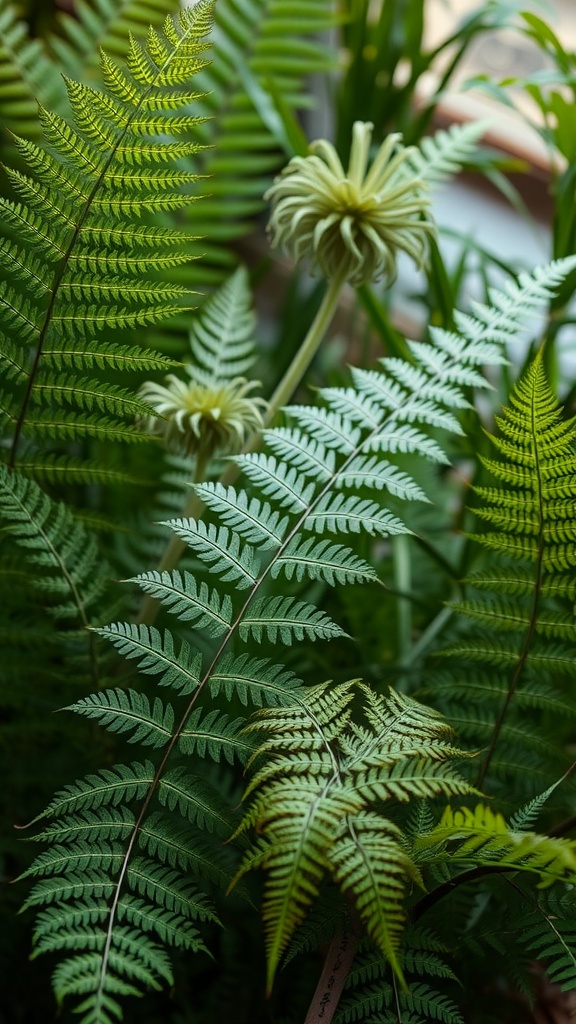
<point x="282" y="395"/>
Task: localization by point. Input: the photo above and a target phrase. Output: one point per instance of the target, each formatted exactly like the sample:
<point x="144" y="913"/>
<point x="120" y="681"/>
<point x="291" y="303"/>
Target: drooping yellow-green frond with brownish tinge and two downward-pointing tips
<point x="315" y="816"/>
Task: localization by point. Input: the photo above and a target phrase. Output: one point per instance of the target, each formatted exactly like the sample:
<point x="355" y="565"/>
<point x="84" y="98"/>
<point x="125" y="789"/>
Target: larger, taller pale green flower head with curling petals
<point x="352" y="225"/>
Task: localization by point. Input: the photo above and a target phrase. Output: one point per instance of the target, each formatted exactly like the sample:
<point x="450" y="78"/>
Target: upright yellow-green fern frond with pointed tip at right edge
<point x="513" y="670"/>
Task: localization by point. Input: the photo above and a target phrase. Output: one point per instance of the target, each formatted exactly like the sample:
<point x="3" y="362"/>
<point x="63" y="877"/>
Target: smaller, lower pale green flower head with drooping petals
<point x="203" y="418"/>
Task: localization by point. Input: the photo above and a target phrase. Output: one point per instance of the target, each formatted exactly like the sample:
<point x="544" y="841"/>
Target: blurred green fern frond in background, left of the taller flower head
<point x="265" y="53"/>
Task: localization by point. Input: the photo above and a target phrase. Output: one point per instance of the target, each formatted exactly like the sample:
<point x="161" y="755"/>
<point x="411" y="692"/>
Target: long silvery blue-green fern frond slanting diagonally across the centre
<point x="232" y="620"/>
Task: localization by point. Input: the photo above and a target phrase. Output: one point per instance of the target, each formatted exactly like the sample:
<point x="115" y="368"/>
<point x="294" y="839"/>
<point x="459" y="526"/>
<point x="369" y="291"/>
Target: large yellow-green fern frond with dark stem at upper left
<point x="81" y="255"/>
